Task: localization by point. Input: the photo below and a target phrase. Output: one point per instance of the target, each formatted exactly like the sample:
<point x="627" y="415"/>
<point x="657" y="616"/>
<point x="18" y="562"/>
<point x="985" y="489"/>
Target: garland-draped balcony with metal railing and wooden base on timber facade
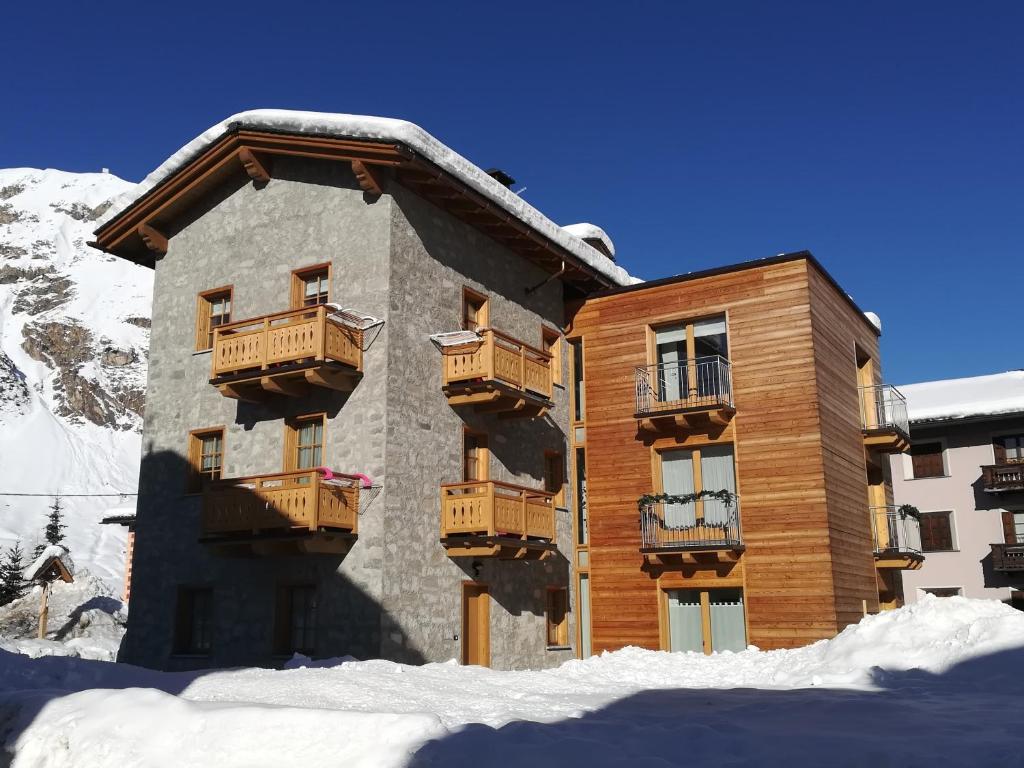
<point x="702" y="531"/>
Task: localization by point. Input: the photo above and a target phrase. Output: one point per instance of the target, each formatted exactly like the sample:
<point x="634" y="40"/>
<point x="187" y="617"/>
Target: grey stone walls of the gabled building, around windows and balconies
<point x="396" y="594"/>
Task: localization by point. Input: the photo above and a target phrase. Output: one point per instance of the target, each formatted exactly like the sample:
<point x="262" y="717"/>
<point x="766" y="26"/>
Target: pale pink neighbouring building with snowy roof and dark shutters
<point x="966" y="476"/>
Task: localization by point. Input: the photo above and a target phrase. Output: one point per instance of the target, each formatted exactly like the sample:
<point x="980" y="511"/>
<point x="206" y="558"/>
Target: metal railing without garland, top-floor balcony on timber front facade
<point x="704" y="382"/>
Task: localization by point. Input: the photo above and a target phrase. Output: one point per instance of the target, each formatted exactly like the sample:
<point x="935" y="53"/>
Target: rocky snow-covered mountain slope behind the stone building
<point x="74" y="335"/>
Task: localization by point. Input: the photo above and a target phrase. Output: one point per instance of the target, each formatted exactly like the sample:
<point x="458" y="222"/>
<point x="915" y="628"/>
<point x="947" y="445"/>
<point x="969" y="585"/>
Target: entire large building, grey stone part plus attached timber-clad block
<point x="363" y="415"/>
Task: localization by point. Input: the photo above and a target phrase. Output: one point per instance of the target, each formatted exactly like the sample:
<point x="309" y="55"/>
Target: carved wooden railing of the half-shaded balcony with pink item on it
<point x="292" y="502"/>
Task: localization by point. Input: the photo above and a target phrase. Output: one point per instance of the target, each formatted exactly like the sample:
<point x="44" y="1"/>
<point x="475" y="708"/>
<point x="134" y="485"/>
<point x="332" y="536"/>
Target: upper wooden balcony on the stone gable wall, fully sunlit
<point x="285" y="354"/>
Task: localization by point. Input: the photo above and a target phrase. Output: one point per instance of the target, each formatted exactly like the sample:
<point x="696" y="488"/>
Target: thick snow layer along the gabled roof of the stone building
<point x="381" y="130"/>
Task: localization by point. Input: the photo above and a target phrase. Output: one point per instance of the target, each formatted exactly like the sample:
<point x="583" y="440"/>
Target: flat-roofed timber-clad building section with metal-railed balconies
<point x="763" y="379"/>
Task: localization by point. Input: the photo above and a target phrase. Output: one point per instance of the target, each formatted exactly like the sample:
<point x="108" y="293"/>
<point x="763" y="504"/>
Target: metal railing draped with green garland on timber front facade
<point x="698" y="526"/>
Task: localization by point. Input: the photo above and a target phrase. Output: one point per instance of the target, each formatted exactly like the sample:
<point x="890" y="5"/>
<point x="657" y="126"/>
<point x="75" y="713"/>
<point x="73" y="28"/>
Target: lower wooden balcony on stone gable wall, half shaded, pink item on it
<point x="282" y="514"/>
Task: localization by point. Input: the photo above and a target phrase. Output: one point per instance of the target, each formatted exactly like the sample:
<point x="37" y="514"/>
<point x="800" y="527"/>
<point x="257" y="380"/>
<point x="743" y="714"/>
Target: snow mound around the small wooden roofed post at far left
<point x="86" y="621"/>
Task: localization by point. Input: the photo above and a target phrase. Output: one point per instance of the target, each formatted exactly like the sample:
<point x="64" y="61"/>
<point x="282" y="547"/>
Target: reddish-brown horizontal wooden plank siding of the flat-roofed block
<point x="800" y="585"/>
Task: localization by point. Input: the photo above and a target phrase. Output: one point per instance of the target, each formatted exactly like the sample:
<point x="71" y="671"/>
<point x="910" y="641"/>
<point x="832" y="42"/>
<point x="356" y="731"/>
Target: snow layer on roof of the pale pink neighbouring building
<point x="975" y="397"/>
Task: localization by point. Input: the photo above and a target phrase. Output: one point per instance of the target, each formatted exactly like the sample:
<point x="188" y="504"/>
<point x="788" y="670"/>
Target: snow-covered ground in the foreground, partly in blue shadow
<point x="933" y="685"/>
